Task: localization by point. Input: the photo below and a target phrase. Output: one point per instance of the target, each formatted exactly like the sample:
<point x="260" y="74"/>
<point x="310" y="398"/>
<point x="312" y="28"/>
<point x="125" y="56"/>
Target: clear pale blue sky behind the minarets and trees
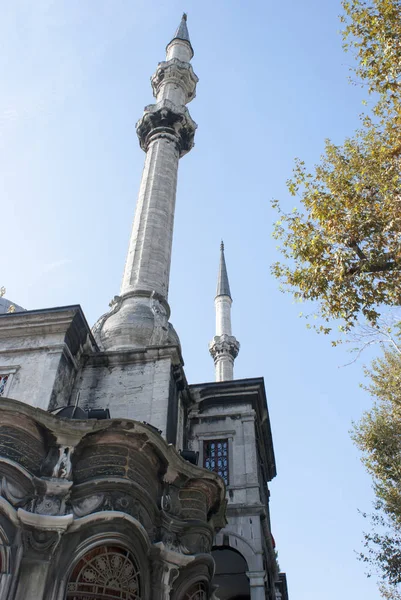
<point x="273" y="84"/>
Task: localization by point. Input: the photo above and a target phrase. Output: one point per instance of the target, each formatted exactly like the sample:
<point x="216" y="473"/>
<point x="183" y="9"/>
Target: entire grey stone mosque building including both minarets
<point x="118" y="479"/>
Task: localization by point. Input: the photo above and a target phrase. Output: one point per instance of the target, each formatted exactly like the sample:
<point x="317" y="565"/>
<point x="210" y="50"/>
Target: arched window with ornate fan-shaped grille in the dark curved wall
<point x="105" y="573"/>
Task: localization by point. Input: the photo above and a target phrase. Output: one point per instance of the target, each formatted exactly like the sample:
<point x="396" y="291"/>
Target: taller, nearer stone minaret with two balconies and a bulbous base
<point x="139" y="315"/>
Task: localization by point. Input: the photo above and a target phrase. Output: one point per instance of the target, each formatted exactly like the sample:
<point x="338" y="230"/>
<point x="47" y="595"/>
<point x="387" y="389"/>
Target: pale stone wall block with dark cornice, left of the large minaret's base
<point x="42" y="351"/>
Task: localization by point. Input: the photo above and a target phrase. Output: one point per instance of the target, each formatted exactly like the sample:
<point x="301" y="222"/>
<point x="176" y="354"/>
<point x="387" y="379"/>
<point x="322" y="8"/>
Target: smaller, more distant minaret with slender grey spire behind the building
<point x="224" y="347"/>
